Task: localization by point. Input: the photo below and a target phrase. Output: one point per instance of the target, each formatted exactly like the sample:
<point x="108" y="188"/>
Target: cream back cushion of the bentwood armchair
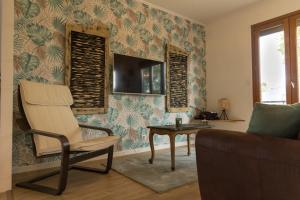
<point x="47" y="108"/>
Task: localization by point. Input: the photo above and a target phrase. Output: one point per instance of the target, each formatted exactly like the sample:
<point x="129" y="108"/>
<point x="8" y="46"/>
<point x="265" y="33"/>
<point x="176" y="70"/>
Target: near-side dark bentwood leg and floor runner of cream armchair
<point x="63" y="177"/>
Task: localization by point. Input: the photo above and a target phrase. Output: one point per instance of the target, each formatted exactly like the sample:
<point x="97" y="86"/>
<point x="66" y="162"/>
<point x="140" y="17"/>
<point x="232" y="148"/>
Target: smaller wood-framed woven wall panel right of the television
<point x="177" y="79"/>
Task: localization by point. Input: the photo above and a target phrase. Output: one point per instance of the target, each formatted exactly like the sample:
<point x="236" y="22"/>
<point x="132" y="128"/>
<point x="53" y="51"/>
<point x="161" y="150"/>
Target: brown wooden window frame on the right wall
<point x="288" y="22"/>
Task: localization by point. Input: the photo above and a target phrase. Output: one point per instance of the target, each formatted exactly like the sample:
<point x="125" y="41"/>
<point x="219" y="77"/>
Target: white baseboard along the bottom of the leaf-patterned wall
<point x="36" y="167"/>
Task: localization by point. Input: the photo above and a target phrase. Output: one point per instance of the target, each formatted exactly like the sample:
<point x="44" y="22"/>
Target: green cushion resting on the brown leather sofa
<point x="275" y="120"/>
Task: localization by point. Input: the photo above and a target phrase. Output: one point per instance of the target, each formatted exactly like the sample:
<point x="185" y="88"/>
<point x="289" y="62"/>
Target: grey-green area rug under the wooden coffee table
<point x="159" y="176"/>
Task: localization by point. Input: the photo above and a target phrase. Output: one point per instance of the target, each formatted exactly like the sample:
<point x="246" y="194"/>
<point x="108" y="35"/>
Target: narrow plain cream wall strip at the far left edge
<point x="6" y="64"/>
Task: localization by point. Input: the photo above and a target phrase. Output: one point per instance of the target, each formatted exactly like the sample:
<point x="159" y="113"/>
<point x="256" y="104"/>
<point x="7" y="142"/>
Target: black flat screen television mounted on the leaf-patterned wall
<point x="138" y="75"/>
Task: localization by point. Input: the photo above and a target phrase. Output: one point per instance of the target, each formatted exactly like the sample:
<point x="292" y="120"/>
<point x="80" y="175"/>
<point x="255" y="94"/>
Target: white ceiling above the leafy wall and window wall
<point x="202" y="10"/>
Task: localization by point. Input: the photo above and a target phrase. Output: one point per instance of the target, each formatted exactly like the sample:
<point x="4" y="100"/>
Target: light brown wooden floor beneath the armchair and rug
<point x="113" y="186"/>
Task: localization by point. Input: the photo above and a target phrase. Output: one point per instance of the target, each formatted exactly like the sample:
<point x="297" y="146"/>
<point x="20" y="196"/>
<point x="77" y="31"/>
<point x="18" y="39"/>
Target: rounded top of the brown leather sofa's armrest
<point x="250" y="145"/>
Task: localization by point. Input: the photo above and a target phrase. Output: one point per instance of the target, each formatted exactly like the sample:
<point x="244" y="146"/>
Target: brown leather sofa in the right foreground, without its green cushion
<point x="239" y="166"/>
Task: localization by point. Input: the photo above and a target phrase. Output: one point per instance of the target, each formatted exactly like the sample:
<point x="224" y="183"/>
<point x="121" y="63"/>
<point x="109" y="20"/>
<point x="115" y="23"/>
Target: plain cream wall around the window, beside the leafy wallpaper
<point x="229" y="59"/>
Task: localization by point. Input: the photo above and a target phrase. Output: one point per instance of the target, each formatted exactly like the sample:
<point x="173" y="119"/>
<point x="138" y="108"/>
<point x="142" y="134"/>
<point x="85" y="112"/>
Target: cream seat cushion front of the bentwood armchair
<point x="95" y="144"/>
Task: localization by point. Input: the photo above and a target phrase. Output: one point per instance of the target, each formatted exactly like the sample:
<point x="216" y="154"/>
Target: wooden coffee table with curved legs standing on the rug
<point x="172" y="131"/>
